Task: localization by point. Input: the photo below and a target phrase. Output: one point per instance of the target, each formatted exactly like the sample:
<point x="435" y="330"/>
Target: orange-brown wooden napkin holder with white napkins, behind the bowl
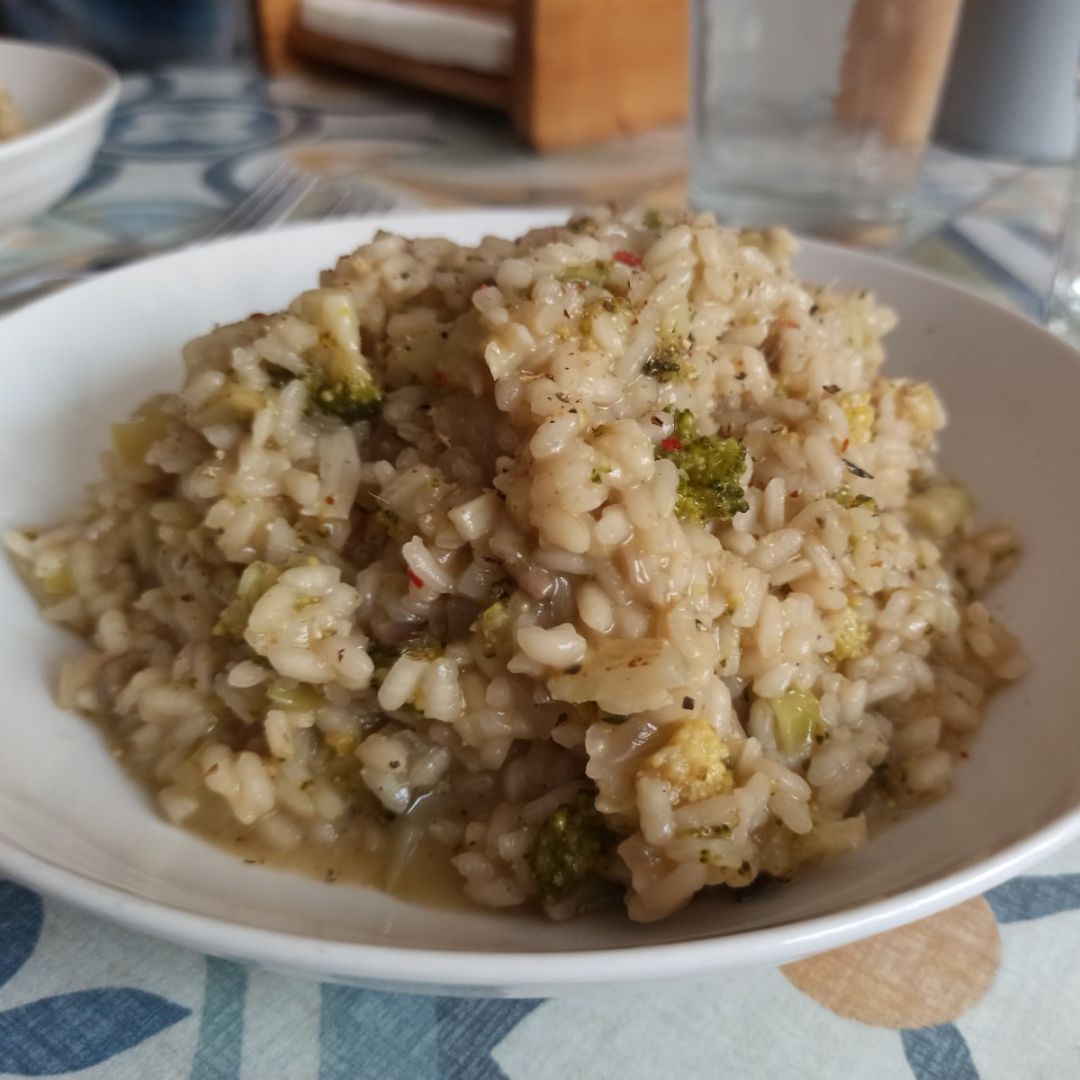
<point x="584" y="71"/>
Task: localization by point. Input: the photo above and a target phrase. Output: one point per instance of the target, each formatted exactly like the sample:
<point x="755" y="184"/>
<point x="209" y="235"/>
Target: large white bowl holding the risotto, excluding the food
<point x="73" y="826"/>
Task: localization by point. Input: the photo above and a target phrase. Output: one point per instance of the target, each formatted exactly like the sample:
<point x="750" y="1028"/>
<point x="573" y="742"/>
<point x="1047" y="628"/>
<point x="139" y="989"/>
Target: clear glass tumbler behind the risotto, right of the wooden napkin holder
<point x="815" y="114"/>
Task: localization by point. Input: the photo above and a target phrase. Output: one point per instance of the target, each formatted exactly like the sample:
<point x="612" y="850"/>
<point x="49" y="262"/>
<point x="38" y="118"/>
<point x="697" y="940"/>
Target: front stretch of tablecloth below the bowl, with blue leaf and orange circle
<point x="988" y="990"/>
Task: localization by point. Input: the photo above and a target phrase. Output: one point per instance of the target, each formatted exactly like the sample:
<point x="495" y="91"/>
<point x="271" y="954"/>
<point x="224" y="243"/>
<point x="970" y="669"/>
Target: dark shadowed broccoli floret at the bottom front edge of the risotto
<point x="572" y="849"/>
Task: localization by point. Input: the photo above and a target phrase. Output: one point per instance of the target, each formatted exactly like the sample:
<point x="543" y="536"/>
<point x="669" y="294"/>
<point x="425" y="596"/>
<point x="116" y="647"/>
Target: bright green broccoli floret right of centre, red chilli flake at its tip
<point x="710" y="469"/>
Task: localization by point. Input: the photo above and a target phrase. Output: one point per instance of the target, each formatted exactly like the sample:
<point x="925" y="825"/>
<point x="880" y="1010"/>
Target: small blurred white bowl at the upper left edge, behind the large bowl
<point x="65" y="100"/>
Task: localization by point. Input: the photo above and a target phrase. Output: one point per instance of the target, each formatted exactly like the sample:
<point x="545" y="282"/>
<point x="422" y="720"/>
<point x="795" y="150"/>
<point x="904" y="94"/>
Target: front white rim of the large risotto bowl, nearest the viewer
<point x="531" y="975"/>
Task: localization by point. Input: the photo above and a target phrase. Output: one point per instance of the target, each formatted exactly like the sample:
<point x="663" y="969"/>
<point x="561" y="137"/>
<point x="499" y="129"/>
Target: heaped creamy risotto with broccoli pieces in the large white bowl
<point x="602" y="562"/>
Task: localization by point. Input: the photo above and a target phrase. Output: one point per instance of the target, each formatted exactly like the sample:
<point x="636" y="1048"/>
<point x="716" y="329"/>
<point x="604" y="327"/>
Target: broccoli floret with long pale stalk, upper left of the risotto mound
<point x="340" y="382"/>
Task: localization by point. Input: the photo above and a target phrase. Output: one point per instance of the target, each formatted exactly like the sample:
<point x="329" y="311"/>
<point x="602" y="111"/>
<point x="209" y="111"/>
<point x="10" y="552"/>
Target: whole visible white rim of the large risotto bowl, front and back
<point x="516" y="974"/>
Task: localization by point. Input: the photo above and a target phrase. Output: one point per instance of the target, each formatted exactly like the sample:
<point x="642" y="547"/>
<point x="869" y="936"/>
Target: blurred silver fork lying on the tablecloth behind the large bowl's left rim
<point x="268" y="204"/>
